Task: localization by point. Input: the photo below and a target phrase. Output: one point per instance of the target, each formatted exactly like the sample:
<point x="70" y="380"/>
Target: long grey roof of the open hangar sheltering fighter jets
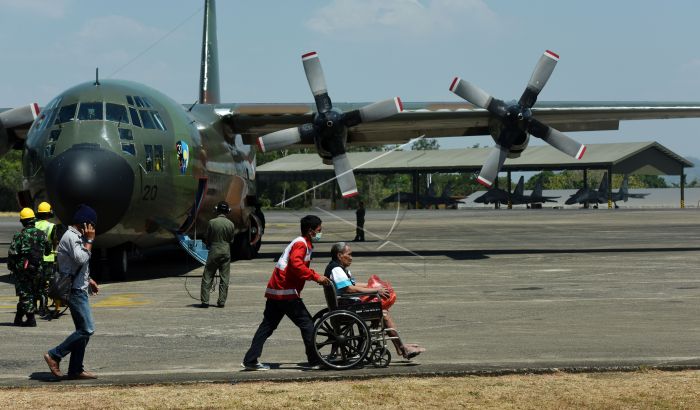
<point x="646" y="158"/>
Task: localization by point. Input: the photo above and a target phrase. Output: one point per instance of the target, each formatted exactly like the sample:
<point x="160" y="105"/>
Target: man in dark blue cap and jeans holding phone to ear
<point x="73" y="257"/>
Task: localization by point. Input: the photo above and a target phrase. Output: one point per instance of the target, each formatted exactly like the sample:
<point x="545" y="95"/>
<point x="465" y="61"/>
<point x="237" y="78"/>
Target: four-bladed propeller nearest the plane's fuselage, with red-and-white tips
<point x="329" y="126"/>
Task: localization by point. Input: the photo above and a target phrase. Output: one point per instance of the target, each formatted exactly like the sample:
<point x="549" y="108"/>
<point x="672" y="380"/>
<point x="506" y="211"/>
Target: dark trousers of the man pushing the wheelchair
<point x="275" y="310"/>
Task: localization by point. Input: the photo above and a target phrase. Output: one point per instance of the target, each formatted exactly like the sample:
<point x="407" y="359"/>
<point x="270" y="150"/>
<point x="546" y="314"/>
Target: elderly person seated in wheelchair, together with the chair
<point x="352" y="331"/>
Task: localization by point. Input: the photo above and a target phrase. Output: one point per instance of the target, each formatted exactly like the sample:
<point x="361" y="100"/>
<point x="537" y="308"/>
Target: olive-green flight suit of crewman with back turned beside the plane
<point x="218" y="238"/>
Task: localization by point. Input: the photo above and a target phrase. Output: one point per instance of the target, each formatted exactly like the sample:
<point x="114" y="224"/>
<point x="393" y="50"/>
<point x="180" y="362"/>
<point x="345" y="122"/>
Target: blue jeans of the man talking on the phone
<point x="76" y="343"/>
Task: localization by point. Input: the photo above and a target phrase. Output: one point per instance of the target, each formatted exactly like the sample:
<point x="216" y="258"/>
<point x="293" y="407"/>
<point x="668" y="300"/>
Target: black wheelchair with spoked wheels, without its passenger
<point x="349" y="333"/>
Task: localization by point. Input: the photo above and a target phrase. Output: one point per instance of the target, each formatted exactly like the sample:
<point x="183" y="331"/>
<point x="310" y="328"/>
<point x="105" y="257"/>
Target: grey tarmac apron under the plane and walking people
<point x="484" y="291"/>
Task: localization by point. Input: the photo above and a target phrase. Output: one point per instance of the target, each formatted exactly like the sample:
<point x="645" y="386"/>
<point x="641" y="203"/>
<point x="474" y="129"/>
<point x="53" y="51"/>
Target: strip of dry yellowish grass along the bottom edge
<point x="643" y="389"/>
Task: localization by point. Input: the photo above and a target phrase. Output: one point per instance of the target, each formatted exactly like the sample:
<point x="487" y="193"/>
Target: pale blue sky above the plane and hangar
<point x="621" y="50"/>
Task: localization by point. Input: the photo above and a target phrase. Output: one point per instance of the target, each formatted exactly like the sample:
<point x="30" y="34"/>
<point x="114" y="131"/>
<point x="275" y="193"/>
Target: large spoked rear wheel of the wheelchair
<point x="341" y="339"/>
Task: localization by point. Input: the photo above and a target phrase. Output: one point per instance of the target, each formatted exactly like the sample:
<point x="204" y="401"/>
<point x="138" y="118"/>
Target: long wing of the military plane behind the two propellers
<point x="448" y="119"/>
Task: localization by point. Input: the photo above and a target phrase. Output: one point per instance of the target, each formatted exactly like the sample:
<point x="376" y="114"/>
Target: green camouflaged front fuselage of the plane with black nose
<point x="161" y="195"/>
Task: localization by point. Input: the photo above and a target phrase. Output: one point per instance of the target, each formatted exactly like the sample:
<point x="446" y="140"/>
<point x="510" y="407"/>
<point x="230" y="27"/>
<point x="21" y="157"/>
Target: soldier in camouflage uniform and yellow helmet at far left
<point x="25" y="260"/>
